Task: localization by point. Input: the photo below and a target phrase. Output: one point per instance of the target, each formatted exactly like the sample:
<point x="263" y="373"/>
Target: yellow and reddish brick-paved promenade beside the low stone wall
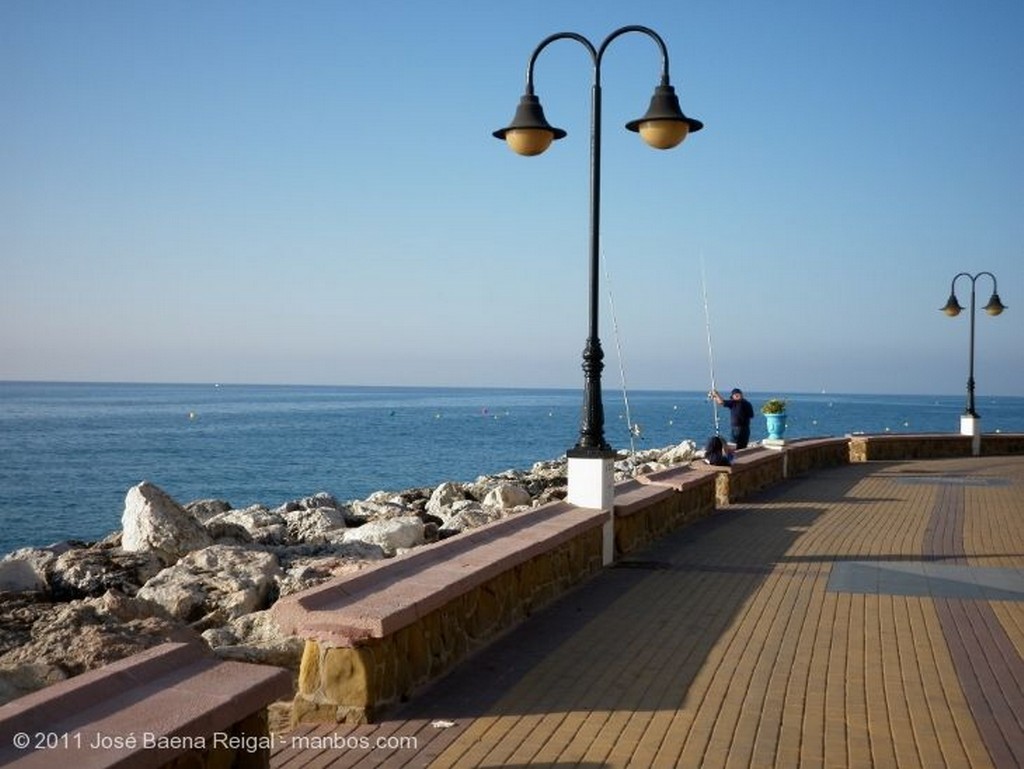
<point x="868" y="616"/>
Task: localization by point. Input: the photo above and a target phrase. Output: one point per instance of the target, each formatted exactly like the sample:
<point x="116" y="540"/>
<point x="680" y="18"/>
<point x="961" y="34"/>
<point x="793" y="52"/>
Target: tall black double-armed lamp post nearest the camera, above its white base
<point x="664" y="126"/>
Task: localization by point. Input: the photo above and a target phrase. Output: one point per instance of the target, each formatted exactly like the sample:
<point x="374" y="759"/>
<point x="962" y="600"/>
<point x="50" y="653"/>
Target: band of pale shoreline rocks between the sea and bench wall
<point x="209" y="573"/>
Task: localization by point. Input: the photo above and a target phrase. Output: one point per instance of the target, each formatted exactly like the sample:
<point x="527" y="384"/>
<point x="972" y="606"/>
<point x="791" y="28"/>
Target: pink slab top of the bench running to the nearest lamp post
<point x="393" y="594"/>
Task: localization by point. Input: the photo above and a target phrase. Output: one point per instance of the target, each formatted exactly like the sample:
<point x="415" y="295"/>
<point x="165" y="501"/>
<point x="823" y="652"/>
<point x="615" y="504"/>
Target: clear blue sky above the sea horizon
<point x="310" y="193"/>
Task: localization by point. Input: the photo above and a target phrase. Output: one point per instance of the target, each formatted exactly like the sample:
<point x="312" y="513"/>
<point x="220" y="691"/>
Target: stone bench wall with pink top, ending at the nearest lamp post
<point x="374" y="637"/>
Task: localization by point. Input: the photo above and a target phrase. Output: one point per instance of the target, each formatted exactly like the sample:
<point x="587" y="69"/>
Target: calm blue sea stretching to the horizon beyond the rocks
<point x="70" y="452"/>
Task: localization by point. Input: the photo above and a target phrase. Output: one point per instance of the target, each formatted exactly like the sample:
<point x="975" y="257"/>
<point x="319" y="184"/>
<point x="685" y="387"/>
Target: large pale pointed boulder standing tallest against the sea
<point x="153" y="522"/>
